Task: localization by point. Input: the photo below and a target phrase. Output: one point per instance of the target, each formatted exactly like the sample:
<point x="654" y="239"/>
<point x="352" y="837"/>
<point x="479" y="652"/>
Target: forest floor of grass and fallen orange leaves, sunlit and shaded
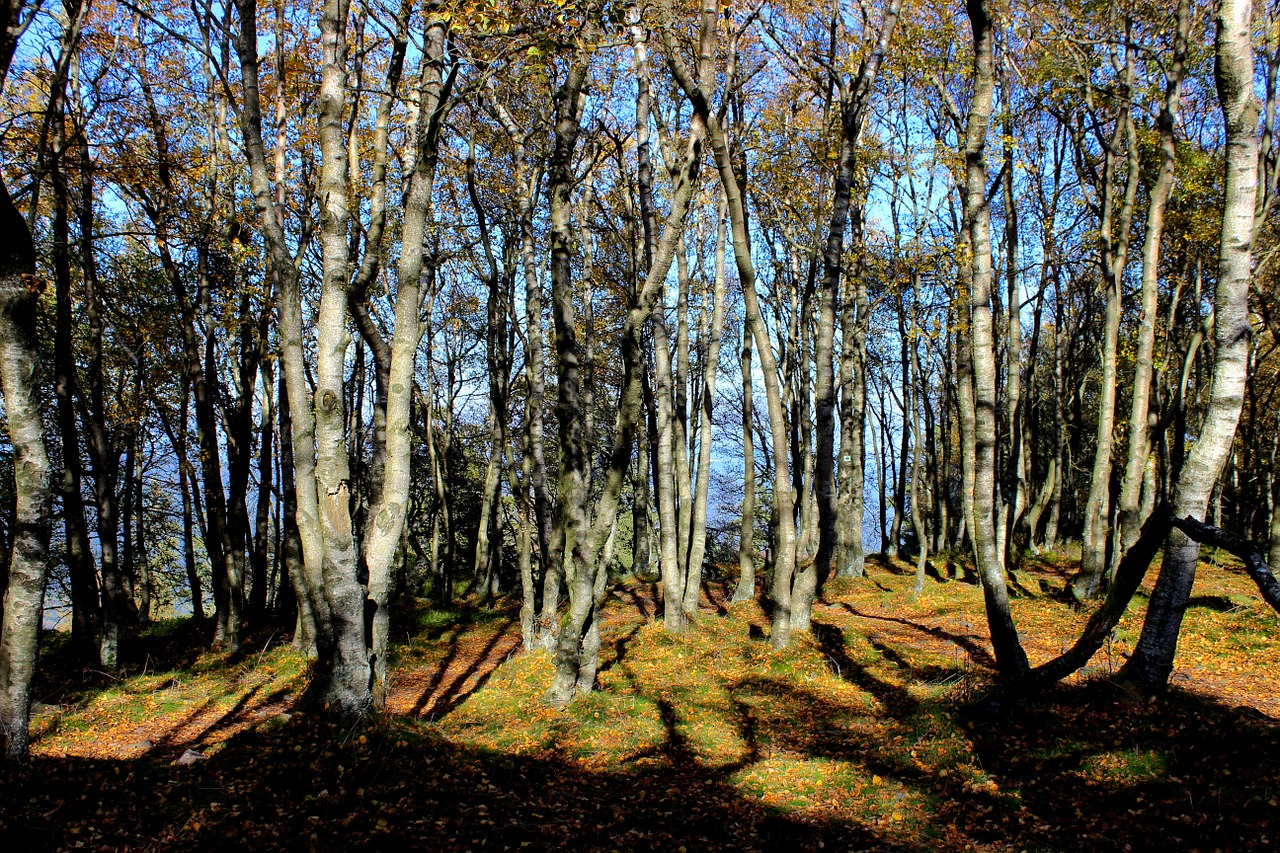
<point x="860" y="737"/>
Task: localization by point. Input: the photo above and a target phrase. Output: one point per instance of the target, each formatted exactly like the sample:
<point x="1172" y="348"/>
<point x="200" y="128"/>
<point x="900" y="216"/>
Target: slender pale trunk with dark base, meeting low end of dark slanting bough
<point x="1011" y="658"/>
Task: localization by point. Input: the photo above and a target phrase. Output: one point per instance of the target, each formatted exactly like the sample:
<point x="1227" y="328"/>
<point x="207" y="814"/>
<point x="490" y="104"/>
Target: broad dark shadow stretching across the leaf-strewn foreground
<point x="1081" y="770"/>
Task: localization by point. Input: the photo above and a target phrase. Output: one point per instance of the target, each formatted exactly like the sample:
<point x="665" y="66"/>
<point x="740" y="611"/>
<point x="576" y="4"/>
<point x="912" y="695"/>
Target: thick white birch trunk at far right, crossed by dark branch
<point x="1154" y="658"/>
